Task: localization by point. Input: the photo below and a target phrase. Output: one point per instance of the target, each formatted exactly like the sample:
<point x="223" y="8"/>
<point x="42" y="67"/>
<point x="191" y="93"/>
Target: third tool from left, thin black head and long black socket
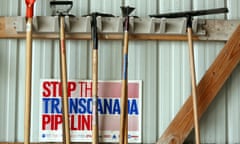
<point x="94" y="35"/>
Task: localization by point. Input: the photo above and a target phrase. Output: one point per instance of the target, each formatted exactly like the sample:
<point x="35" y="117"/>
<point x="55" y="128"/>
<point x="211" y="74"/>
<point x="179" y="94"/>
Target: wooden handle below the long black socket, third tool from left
<point x="94" y="95"/>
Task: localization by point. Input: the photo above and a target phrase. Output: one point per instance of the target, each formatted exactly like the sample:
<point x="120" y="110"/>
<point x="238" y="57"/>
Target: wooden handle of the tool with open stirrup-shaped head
<point x="63" y="61"/>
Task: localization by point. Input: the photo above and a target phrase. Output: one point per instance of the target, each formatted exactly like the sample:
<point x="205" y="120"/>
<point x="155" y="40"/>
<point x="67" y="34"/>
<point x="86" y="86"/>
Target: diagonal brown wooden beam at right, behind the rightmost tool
<point x="208" y="88"/>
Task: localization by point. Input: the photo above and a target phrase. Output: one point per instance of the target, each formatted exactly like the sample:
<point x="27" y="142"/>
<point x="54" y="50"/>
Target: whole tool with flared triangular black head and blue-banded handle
<point x="126" y="11"/>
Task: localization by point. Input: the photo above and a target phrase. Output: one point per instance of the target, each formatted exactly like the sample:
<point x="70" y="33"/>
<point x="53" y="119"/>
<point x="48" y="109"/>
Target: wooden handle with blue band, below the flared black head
<point x="124" y="94"/>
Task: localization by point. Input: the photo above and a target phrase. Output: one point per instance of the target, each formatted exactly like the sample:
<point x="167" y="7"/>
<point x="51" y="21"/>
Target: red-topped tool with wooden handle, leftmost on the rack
<point x="28" y="82"/>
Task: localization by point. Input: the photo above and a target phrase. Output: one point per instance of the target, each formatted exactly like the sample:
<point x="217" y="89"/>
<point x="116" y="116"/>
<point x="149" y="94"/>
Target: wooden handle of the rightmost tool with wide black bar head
<point x="193" y="81"/>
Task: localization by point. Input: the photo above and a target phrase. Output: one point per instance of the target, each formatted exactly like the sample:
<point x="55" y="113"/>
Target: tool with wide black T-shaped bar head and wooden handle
<point x="189" y="15"/>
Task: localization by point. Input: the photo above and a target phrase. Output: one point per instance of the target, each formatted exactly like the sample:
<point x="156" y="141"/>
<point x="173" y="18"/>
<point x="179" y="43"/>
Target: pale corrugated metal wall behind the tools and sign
<point x="163" y="67"/>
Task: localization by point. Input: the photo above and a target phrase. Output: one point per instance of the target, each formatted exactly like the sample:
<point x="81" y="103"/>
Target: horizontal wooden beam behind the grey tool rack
<point x="217" y="30"/>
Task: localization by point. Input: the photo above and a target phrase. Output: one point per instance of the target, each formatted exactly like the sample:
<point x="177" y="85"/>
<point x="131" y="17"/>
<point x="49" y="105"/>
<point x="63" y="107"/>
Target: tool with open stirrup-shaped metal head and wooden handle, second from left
<point x="61" y="9"/>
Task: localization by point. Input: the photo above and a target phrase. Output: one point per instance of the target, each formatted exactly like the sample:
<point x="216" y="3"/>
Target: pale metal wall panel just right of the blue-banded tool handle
<point x="143" y="66"/>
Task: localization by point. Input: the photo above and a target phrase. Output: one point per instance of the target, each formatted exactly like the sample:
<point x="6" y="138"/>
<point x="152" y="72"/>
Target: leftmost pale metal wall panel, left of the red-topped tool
<point x="8" y="76"/>
